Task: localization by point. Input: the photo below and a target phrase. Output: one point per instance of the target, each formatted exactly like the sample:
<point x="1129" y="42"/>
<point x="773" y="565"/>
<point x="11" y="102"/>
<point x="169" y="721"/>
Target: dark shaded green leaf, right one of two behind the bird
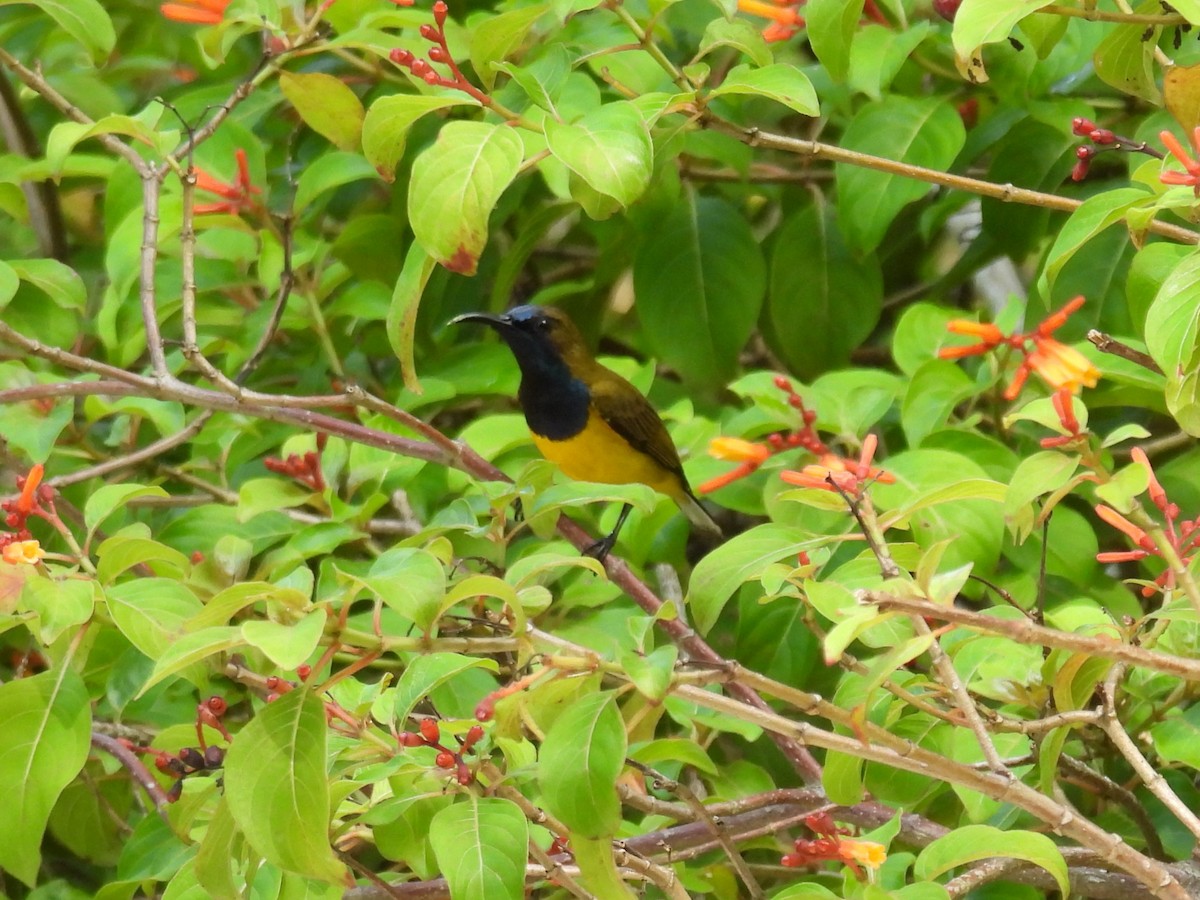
<point x="818" y="287"/>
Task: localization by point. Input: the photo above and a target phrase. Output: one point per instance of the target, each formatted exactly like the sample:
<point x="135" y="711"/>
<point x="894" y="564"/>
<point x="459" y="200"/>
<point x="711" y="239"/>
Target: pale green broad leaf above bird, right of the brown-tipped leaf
<point x="610" y="149"/>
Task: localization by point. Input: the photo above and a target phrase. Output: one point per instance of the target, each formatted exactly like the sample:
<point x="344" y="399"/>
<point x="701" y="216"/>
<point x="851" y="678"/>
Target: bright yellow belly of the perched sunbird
<point x="601" y="454"/>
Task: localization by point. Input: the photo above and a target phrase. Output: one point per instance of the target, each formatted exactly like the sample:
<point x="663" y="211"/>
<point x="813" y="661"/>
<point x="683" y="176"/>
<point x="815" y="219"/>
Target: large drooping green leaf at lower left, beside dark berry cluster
<point x="278" y="789"/>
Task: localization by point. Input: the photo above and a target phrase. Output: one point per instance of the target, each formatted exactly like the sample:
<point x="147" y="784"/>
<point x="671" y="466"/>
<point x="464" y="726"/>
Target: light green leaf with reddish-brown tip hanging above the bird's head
<point x="455" y="187"/>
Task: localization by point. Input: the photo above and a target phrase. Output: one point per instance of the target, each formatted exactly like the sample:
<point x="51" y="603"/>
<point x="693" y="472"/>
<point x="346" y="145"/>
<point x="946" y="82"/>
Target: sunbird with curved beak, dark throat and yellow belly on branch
<point x="589" y="421"/>
